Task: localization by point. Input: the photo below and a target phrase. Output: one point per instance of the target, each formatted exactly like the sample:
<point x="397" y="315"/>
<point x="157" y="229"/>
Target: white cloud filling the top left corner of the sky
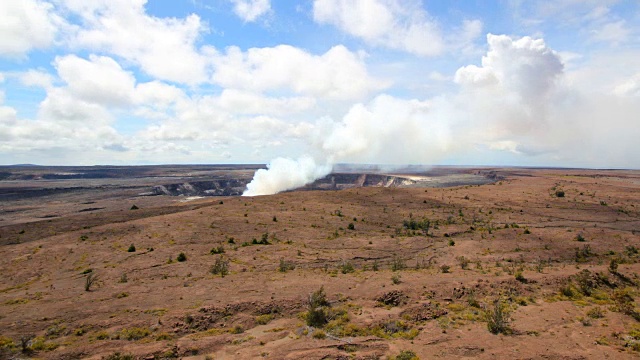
<point x="26" y="25"/>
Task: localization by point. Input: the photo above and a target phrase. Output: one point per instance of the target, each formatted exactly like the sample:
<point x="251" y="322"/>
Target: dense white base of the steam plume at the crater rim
<point x="285" y="174"/>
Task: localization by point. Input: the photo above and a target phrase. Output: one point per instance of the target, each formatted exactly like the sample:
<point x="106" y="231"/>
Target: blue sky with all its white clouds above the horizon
<point x="380" y="81"/>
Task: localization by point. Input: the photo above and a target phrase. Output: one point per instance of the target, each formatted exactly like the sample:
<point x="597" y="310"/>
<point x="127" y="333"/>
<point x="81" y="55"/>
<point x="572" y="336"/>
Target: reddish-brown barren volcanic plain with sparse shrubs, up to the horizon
<point x="499" y="263"/>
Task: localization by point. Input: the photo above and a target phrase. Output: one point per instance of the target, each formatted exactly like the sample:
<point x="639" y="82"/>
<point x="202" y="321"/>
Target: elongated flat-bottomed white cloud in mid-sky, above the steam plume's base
<point x="338" y="73"/>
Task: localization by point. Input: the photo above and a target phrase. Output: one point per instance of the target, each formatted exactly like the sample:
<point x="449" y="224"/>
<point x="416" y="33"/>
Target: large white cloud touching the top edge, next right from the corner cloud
<point x="164" y="48"/>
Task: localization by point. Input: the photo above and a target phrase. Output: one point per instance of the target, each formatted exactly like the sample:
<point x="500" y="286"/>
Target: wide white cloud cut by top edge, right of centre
<point x="389" y="23"/>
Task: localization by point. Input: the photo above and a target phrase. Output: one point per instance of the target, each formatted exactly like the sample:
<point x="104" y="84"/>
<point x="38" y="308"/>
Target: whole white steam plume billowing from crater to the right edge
<point x="519" y="105"/>
